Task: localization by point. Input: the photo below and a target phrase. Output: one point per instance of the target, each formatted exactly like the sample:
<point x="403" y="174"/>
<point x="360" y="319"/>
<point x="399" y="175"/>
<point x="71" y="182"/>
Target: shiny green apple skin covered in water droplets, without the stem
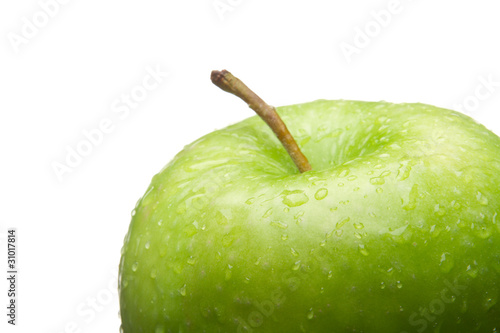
<point x="396" y="228"/>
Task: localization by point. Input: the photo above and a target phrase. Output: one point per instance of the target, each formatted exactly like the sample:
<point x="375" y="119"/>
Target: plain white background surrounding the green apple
<point x="67" y="75"/>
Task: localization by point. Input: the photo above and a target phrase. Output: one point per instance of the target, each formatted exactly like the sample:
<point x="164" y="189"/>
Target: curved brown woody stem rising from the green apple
<point x="231" y="84"/>
